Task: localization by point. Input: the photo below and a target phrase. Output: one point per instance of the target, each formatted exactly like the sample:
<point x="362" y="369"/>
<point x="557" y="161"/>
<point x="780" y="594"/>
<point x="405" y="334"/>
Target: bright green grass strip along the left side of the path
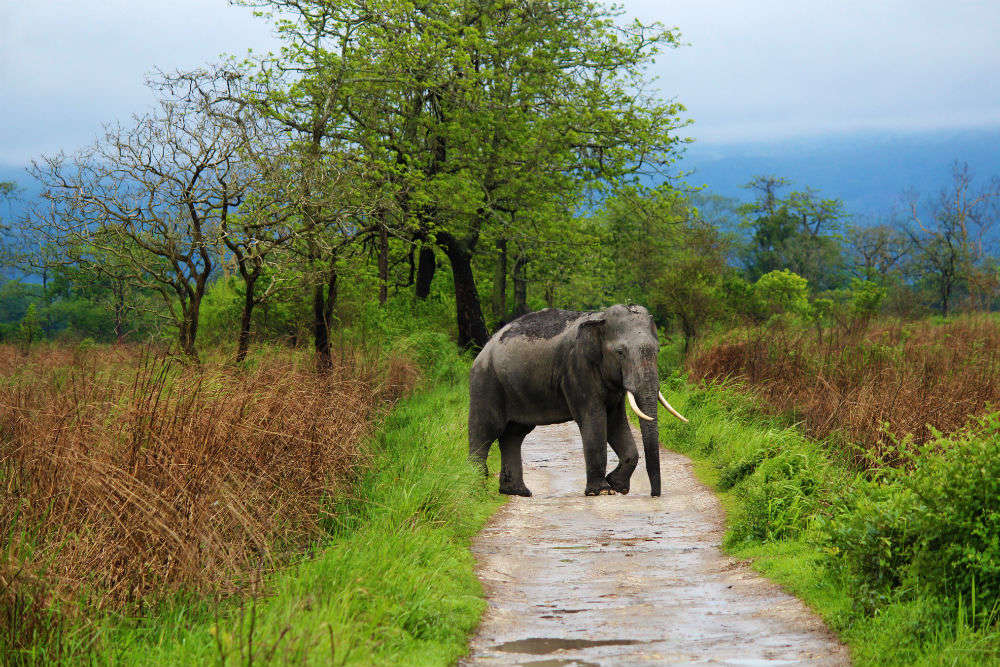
<point x="392" y="584"/>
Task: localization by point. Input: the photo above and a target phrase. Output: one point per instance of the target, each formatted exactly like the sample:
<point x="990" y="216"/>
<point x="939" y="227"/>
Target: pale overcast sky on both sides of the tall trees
<point x="753" y="70"/>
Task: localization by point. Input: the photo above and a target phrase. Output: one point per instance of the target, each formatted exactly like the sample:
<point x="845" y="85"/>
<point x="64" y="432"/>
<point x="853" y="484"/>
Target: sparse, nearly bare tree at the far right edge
<point x="952" y="238"/>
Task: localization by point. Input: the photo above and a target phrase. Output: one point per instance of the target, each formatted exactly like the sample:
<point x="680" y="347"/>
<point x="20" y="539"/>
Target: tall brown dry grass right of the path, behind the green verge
<point x="887" y="378"/>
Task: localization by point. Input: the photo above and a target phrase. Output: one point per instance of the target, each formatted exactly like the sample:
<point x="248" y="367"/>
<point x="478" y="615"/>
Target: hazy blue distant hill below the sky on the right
<point x="867" y="171"/>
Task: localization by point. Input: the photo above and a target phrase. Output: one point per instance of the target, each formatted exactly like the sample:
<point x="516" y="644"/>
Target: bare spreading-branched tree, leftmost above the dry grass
<point x="145" y="204"/>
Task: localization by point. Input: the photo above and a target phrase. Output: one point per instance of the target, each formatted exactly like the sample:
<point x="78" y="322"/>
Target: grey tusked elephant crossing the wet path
<point x="553" y="366"/>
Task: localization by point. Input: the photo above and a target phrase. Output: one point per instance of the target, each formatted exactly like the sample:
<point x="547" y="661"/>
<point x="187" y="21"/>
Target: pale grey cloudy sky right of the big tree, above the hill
<point x="775" y="69"/>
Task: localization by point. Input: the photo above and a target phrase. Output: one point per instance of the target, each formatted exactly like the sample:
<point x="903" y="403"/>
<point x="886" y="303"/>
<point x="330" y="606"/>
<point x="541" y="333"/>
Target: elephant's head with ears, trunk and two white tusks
<point x="628" y="348"/>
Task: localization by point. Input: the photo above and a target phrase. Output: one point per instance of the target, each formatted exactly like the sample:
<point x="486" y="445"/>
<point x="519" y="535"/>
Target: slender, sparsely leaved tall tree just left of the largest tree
<point x="305" y="92"/>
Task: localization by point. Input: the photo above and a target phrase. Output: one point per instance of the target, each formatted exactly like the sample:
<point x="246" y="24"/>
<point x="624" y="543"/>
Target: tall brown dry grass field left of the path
<point x="125" y="478"/>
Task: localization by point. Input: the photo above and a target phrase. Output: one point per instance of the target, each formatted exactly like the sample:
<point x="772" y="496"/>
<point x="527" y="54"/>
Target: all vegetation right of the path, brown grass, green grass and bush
<point x="859" y="485"/>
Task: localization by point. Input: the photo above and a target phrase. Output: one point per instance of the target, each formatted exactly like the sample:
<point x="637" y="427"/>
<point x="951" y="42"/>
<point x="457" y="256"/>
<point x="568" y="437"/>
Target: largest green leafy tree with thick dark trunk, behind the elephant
<point x="467" y="111"/>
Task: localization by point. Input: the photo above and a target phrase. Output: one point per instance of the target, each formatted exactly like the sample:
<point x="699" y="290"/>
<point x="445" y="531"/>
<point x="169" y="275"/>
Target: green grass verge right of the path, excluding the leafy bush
<point x="780" y="491"/>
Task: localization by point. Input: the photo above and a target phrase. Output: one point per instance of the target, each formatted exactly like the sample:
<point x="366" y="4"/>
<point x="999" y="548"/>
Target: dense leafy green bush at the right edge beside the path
<point x="935" y="530"/>
